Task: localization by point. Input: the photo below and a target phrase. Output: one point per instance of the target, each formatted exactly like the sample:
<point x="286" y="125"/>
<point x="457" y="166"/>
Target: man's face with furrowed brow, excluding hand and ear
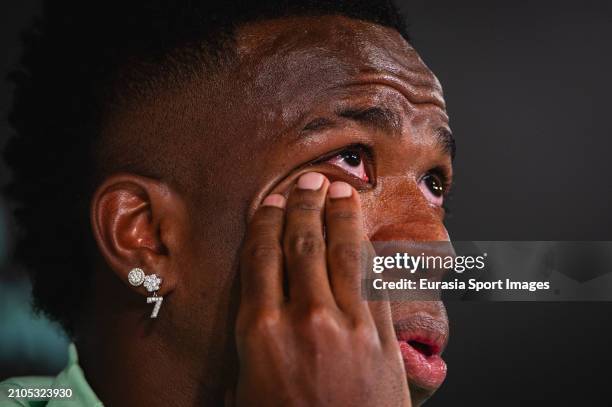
<point x="349" y="99"/>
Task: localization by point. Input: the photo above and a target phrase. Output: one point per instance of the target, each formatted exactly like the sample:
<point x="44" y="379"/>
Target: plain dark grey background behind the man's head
<point x="527" y="87"/>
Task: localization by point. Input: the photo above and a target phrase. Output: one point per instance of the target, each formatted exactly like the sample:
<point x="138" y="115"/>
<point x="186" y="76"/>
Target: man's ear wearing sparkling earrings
<point x="138" y="222"/>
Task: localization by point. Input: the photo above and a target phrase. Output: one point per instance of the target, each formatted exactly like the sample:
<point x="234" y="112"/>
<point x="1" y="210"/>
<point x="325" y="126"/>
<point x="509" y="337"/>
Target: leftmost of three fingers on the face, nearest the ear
<point x="261" y="262"/>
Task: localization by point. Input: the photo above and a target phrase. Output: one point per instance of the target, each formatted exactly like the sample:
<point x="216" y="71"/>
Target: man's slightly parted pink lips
<point x="422" y="339"/>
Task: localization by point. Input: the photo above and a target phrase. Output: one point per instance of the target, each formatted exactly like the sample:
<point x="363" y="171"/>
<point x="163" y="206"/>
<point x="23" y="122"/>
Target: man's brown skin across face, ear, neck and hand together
<point x="190" y="170"/>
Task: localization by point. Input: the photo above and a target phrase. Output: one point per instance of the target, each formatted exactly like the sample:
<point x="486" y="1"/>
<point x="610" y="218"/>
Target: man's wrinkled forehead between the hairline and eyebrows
<point x="299" y="58"/>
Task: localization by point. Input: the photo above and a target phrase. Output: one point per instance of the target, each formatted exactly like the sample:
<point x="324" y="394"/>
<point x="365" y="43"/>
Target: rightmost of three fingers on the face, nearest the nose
<point x="344" y="229"/>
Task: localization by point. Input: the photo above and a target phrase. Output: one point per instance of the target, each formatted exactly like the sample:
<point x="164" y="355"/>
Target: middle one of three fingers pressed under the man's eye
<point x="304" y="244"/>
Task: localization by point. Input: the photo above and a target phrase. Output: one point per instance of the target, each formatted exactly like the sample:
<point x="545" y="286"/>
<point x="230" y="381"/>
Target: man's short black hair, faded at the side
<point x="80" y="57"/>
